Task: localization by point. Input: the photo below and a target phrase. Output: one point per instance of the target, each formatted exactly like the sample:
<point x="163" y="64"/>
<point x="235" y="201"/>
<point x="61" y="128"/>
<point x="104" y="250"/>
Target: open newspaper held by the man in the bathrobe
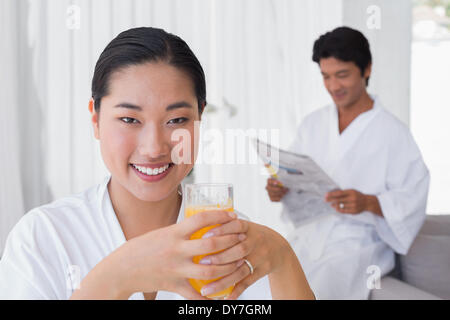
<point x="306" y="181"/>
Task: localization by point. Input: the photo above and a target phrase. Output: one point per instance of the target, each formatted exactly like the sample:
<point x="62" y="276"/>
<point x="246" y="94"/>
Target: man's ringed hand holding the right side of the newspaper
<point x="353" y="202"/>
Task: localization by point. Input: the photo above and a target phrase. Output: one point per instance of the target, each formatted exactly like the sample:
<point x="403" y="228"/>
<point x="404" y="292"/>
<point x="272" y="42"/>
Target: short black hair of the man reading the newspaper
<point x="345" y="44"/>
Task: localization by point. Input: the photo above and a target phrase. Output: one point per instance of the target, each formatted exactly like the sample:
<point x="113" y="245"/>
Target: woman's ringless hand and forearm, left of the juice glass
<point x="162" y="260"/>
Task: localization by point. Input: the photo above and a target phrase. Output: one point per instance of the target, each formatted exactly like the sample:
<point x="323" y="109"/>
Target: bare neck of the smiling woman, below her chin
<point x="137" y="217"/>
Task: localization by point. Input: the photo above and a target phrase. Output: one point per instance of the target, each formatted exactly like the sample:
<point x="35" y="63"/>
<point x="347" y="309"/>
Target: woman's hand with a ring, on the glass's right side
<point x="269" y="254"/>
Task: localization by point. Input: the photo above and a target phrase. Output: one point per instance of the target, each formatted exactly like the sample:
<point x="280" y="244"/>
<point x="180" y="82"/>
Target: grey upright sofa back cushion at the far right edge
<point x="427" y="263"/>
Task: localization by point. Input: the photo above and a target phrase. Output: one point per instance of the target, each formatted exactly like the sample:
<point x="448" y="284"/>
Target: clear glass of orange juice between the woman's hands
<point x="202" y="197"/>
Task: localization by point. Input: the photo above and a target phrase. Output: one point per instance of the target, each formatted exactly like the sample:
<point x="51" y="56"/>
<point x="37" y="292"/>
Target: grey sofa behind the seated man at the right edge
<point x="424" y="272"/>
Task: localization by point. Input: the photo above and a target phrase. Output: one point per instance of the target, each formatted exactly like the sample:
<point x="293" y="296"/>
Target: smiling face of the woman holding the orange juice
<point x="159" y="100"/>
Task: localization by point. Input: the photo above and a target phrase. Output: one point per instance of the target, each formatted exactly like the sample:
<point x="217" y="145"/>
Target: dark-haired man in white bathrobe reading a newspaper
<point x="372" y="156"/>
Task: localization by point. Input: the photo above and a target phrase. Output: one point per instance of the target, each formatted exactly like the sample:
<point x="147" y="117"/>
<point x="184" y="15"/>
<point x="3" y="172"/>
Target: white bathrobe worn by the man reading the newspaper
<point x="341" y="253"/>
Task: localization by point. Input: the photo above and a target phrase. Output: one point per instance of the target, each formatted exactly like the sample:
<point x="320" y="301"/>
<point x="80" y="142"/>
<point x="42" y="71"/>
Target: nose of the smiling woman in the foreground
<point x="152" y="143"/>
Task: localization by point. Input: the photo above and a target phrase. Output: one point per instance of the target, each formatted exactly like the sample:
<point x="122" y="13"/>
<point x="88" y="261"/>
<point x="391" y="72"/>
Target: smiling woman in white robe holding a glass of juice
<point x="121" y="239"/>
